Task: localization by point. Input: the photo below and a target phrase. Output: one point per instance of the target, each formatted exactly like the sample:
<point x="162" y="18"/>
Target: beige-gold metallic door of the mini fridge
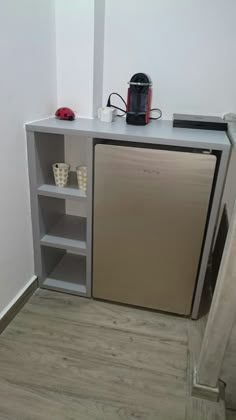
<point x="150" y="209"/>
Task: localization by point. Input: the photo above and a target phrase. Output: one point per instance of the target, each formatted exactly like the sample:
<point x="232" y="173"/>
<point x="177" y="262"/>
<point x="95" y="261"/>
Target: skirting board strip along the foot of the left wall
<point x="18" y="305"/>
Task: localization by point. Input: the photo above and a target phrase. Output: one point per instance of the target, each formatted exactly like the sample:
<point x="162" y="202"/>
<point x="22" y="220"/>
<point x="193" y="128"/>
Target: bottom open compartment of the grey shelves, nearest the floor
<point x="65" y="272"/>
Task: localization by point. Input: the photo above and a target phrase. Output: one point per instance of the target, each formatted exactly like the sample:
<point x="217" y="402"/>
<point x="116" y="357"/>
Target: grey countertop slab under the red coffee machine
<point x="156" y="132"/>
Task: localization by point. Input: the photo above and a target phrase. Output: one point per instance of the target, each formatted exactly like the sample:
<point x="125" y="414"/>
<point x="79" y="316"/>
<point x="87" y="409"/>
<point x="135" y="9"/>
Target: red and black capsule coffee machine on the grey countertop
<point x="139" y="99"/>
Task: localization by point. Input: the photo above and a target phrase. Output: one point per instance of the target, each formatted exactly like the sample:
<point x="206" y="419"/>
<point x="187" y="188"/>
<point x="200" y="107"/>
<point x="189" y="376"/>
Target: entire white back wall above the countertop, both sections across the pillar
<point x="186" y="46"/>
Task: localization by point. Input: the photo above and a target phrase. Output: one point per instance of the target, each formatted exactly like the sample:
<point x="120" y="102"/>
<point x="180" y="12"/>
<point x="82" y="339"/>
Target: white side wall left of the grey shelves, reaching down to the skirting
<point x="28" y="92"/>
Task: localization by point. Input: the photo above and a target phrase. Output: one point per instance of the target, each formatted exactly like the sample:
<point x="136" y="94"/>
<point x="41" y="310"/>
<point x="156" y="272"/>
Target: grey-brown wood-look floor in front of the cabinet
<point x="65" y="357"/>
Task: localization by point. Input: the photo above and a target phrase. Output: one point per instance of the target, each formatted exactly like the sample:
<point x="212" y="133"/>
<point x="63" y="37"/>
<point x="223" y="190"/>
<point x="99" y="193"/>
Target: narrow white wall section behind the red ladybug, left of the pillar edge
<point x="75" y="54"/>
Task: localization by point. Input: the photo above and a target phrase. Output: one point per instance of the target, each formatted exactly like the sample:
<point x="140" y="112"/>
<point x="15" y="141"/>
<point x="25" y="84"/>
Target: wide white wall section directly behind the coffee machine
<point x="186" y="46"/>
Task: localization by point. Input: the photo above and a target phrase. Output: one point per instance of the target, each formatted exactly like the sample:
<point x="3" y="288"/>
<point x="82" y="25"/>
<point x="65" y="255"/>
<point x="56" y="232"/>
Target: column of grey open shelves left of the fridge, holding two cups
<point x="62" y="242"/>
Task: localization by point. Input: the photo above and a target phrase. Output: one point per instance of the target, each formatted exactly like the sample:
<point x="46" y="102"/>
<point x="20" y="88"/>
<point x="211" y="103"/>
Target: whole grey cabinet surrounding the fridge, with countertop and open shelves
<point x="63" y="244"/>
